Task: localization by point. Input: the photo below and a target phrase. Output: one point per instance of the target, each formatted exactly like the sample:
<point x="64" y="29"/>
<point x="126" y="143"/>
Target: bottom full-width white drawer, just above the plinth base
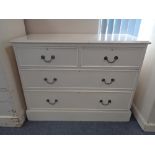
<point x="78" y="100"/>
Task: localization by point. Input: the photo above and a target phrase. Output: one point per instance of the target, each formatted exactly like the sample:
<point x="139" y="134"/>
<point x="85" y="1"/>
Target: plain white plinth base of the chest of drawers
<point x="55" y="115"/>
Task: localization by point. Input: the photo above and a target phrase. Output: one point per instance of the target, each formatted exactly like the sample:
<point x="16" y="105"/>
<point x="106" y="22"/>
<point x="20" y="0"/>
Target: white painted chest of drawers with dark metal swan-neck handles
<point x="79" y="77"/>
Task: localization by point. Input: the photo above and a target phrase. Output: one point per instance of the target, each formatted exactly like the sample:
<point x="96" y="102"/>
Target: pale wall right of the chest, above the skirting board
<point x="145" y="95"/>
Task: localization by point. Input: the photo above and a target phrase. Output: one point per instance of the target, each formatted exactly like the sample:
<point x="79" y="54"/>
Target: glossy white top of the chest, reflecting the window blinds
<point x="80" y="38"/>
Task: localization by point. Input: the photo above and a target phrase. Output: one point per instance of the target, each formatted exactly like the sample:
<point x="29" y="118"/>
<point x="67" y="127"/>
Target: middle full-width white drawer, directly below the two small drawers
<point x="79" y="79"/>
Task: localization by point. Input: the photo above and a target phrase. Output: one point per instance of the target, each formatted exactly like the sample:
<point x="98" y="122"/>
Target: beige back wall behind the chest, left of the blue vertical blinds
<point x="61" y="25"/>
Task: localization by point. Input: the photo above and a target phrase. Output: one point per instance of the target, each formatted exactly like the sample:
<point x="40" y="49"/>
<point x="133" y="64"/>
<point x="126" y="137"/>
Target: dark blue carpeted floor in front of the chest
<point x="77" y="128"/>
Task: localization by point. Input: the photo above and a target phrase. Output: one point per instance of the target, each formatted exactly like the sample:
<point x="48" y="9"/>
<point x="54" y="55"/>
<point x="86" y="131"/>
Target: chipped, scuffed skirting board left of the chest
<point x="10" y="121"/>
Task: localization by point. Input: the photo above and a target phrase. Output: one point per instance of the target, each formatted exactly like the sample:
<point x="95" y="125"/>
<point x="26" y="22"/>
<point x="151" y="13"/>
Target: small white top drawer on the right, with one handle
<point x="107" y="57"/>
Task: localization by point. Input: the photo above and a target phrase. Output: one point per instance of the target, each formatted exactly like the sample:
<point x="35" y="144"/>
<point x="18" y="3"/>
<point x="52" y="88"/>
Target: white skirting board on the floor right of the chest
<point x="142" y="122"/>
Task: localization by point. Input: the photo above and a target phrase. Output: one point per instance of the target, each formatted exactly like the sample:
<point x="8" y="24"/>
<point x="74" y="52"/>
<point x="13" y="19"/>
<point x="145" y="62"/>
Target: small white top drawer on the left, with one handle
<point x="53" y="57"/>
